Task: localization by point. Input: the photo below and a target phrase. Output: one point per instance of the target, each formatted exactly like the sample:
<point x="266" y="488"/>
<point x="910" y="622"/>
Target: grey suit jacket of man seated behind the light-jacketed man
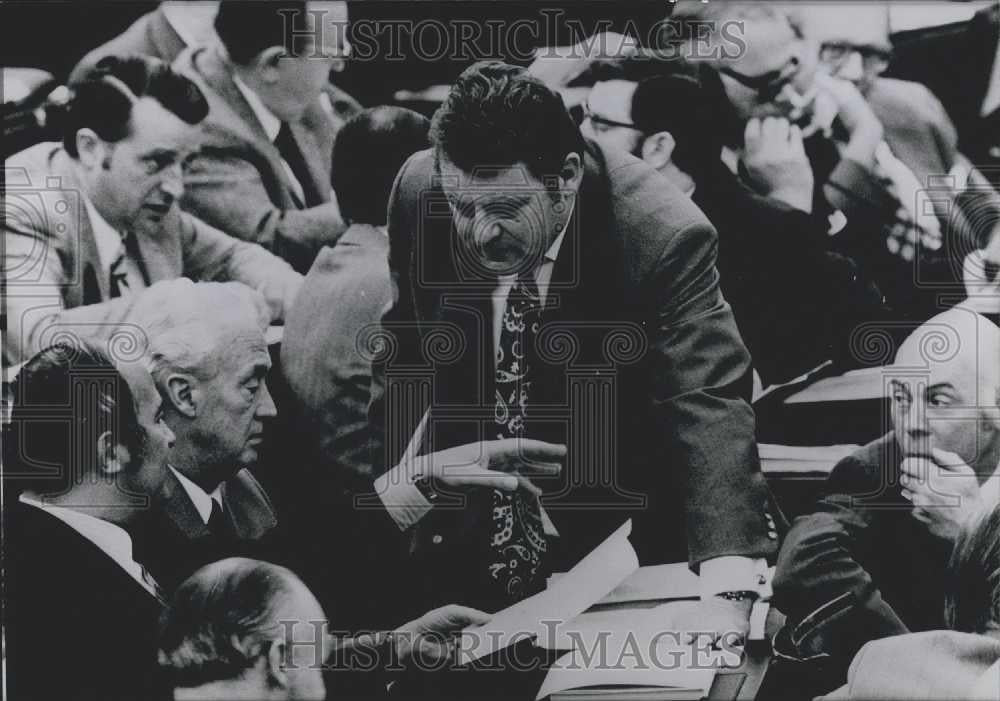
<point x="239" y="183"/>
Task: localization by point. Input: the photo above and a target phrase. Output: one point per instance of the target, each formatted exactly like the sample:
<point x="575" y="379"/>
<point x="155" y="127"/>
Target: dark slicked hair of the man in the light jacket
<point x="102" y="99"/>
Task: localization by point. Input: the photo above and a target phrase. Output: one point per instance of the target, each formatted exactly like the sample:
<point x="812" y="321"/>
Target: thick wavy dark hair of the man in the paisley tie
<point x="497" y="115"/>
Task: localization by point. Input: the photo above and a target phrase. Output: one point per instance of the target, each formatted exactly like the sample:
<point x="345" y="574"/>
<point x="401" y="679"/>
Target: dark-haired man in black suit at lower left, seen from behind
<point x="80" y="612"/>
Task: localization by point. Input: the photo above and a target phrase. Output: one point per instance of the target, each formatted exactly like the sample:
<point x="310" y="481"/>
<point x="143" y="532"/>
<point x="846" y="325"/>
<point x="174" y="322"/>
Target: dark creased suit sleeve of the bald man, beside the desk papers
<point x="831" y="601"/>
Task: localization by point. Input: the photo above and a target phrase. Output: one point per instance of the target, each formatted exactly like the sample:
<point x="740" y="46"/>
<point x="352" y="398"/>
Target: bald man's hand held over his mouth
<point x="944" y="491"/>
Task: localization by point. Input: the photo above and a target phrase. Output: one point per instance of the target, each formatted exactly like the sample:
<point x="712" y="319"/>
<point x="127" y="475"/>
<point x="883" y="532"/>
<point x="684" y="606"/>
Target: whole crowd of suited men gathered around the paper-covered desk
<point x="506" y="330"/>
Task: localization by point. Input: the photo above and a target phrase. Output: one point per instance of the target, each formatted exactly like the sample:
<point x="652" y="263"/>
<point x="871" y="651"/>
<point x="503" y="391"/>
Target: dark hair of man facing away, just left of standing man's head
<point x="368" y="153"/>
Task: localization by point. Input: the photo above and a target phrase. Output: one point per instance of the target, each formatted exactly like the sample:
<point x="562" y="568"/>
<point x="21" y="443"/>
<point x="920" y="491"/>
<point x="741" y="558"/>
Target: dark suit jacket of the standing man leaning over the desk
<point x="643" y="375"/>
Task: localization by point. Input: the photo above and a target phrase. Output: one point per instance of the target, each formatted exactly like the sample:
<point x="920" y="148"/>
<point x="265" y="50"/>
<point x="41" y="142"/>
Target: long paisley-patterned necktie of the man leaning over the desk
<point x="517" y="541"/>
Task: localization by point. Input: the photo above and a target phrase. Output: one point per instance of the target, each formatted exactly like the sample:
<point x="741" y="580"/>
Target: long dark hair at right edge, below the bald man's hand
<point x="972" y="599"/>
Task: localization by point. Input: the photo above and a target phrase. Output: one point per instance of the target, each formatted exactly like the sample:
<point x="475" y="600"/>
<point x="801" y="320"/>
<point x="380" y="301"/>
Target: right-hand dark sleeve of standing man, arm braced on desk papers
<point x="700" y="390"/>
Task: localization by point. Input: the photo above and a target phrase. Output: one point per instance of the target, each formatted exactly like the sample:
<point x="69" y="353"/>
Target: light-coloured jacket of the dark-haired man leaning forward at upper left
<point x="55" y="280"/>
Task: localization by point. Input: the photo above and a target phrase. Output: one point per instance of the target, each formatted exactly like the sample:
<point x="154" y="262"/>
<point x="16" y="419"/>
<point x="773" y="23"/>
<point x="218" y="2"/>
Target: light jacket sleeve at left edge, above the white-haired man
<point x="34" y="274"/>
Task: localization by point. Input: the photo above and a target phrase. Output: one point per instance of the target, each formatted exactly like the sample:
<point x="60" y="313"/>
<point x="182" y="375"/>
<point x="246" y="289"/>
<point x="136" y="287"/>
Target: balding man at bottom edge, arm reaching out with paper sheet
<point x="246" y="629"/>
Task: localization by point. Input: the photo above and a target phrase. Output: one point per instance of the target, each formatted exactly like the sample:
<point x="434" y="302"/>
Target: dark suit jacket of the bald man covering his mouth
<point x="860" y="567"/>
